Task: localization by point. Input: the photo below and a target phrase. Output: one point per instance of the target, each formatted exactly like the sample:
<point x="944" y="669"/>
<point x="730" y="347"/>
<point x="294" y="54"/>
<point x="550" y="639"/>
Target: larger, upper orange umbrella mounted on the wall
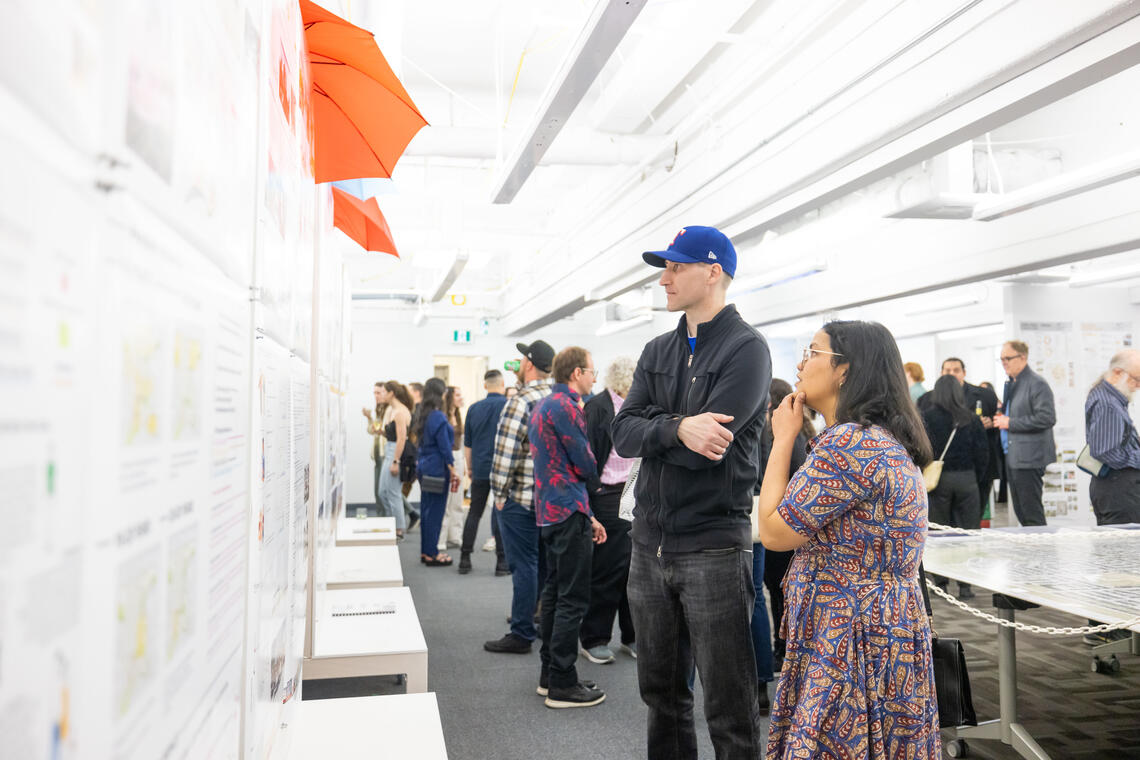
<point x="364" y="117"/>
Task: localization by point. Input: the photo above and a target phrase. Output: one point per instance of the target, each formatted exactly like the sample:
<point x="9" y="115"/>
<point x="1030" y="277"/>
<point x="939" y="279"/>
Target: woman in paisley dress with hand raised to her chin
<point x="858" y="680"/>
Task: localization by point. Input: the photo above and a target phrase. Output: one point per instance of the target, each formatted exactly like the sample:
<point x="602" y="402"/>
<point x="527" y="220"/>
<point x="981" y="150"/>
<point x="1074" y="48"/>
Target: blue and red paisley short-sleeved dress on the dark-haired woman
<point x="858" y="680"/>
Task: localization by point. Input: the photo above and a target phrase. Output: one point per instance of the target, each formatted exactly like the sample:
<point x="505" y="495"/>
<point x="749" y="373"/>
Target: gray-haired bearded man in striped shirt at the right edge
<point x="1113" y="440"/>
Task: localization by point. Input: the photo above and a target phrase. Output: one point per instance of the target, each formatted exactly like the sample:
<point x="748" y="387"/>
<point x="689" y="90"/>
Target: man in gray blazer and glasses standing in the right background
<point x="1030" y="419"/>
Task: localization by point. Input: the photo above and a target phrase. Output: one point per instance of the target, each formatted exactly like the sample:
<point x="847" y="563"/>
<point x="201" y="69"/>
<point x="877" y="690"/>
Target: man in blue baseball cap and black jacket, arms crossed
<point x="695" y="415"/>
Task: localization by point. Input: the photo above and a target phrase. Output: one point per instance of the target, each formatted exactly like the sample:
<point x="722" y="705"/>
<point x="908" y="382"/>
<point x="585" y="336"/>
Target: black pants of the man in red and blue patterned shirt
<point x="566" y="595"/>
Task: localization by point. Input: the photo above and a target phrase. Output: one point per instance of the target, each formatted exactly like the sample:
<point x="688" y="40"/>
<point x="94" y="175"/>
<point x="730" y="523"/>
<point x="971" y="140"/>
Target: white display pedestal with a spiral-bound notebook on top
<point x="380" y="636"/>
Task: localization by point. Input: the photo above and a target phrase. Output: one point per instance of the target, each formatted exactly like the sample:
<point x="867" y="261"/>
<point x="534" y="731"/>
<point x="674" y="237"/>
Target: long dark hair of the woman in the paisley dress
<point x="875" y="391"/>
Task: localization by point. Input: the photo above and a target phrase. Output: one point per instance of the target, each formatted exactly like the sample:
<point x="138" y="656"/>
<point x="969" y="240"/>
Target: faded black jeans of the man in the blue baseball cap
<point x="697" y="608"/>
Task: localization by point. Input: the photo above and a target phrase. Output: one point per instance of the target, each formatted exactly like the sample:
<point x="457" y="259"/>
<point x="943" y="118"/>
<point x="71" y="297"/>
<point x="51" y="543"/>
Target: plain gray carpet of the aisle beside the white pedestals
<point x="487" y="702"/>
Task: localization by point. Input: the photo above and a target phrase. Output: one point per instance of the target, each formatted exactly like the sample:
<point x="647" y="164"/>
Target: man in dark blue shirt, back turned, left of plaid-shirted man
<point x="478" y="450"/>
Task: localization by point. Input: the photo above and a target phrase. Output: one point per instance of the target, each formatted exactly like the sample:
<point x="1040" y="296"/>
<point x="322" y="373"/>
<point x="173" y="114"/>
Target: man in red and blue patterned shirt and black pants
<point x="565" y="475"/>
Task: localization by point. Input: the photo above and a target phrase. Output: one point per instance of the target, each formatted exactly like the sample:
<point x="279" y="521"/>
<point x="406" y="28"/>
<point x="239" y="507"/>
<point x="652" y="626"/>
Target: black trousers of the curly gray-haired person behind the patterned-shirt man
<point x="610" y="574"/>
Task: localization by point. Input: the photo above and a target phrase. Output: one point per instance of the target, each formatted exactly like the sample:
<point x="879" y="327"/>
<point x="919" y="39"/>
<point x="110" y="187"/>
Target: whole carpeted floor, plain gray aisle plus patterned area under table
<point x="490" y="709"/>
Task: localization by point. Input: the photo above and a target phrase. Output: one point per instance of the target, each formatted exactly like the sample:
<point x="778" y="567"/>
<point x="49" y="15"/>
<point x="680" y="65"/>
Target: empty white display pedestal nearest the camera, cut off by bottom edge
<point x="369" y="729"/>
